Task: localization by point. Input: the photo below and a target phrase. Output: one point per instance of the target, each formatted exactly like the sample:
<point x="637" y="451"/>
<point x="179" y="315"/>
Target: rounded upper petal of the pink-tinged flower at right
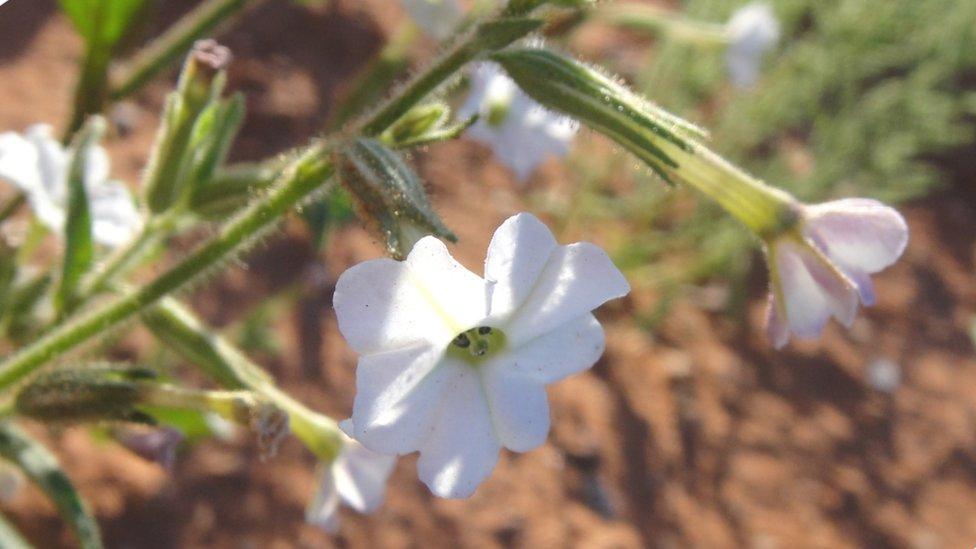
<point x="857" y="233"/>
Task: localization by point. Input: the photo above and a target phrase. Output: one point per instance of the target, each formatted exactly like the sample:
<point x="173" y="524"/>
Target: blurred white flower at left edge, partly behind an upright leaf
<point x="38" y="164"/>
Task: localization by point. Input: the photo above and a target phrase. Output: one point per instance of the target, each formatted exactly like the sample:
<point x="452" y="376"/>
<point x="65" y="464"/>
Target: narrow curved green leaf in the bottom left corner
<point x="43" y="469"/>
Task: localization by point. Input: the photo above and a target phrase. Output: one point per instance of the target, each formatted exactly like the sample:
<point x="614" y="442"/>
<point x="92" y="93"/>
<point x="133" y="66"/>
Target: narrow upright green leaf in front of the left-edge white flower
<point x="79" y="253"/>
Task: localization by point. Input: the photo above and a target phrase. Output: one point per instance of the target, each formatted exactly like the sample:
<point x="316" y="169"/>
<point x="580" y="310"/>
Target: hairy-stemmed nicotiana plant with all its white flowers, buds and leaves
<point x="452" y="365"/>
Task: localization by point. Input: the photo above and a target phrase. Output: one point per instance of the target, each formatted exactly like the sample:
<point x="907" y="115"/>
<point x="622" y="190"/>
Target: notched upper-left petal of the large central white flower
<point x="384" y="304"/>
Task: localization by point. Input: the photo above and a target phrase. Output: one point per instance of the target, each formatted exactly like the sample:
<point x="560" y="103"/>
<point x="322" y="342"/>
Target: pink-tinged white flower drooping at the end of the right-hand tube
<point x="822" y="268"/>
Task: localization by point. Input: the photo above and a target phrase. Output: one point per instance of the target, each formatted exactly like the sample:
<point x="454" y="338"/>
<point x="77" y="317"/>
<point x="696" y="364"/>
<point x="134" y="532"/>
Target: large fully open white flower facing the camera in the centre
<point x="454" y="365"/>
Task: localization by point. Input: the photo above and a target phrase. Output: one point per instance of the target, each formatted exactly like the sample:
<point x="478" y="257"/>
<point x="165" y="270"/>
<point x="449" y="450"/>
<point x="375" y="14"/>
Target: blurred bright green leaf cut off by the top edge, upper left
<point x="102" y="22"/>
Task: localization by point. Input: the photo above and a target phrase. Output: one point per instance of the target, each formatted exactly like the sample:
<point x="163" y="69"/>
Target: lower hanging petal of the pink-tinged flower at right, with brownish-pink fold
<point x="810" y="289"/>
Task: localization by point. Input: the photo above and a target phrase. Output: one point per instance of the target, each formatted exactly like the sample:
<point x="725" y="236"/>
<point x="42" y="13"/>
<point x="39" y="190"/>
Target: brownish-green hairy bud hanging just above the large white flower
<point x="389" y="195"/>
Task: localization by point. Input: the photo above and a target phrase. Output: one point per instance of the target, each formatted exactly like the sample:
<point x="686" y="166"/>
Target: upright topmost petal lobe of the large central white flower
<point x="519" y="251"/>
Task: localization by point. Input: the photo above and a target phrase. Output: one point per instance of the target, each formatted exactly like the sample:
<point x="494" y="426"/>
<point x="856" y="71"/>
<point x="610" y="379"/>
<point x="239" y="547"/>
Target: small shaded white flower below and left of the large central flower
<point x="356" y="477"/>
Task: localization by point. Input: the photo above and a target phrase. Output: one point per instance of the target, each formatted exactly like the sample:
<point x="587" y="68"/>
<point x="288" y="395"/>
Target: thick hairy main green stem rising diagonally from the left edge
<point x="303" y="177"/>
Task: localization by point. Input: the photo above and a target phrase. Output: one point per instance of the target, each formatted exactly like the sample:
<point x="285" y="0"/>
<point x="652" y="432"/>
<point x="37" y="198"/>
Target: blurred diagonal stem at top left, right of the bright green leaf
<point x="174" y="43"/>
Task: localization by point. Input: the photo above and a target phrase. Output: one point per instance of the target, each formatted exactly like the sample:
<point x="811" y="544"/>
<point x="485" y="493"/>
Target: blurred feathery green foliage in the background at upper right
<point x="861" y="98"/>
